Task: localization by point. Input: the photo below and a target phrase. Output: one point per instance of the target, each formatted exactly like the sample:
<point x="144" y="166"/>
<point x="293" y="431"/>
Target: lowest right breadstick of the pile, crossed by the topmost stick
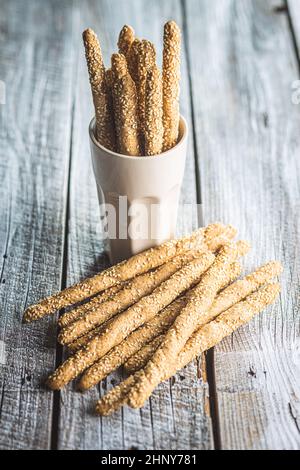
<point x="205" y="338"/>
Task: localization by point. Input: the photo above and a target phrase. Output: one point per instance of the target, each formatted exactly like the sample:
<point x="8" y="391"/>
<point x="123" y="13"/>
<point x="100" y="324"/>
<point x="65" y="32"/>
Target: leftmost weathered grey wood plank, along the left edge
<point x="36" y="67"/>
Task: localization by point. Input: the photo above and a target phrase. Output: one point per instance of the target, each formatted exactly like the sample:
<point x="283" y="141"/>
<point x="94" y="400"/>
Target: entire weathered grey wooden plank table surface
<point x="239" y="94"/>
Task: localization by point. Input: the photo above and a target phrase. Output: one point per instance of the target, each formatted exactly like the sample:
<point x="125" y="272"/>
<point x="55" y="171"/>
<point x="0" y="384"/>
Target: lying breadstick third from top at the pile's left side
<point x="130" y="294"/>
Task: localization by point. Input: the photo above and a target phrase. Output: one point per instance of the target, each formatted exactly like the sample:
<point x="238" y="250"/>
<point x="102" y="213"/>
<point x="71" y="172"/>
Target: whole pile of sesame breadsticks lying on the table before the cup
<point x="155" y="312"/>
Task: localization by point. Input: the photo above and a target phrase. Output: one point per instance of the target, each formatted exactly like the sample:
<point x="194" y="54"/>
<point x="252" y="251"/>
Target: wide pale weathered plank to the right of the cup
<point x="243" y="64"/>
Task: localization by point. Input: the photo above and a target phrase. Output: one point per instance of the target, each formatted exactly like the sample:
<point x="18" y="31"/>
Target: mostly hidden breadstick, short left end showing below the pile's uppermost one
<point x="72" y="315"/>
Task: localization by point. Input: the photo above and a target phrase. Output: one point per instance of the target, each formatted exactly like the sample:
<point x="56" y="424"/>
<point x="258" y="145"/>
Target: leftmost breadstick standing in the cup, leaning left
<point x="103" y="111"/>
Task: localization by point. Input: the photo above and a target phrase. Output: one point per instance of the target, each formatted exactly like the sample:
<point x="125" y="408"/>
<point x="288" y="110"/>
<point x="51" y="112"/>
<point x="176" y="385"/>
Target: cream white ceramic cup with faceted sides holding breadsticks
<point x="138" y="196"/>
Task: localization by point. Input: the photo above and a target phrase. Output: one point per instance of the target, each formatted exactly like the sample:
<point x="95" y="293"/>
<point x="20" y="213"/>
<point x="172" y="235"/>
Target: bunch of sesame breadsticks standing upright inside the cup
<point x="136" y="109"/>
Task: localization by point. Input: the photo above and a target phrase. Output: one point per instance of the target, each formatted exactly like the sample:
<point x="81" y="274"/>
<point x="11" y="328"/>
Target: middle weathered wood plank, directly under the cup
<point x="173" y="418"/>
